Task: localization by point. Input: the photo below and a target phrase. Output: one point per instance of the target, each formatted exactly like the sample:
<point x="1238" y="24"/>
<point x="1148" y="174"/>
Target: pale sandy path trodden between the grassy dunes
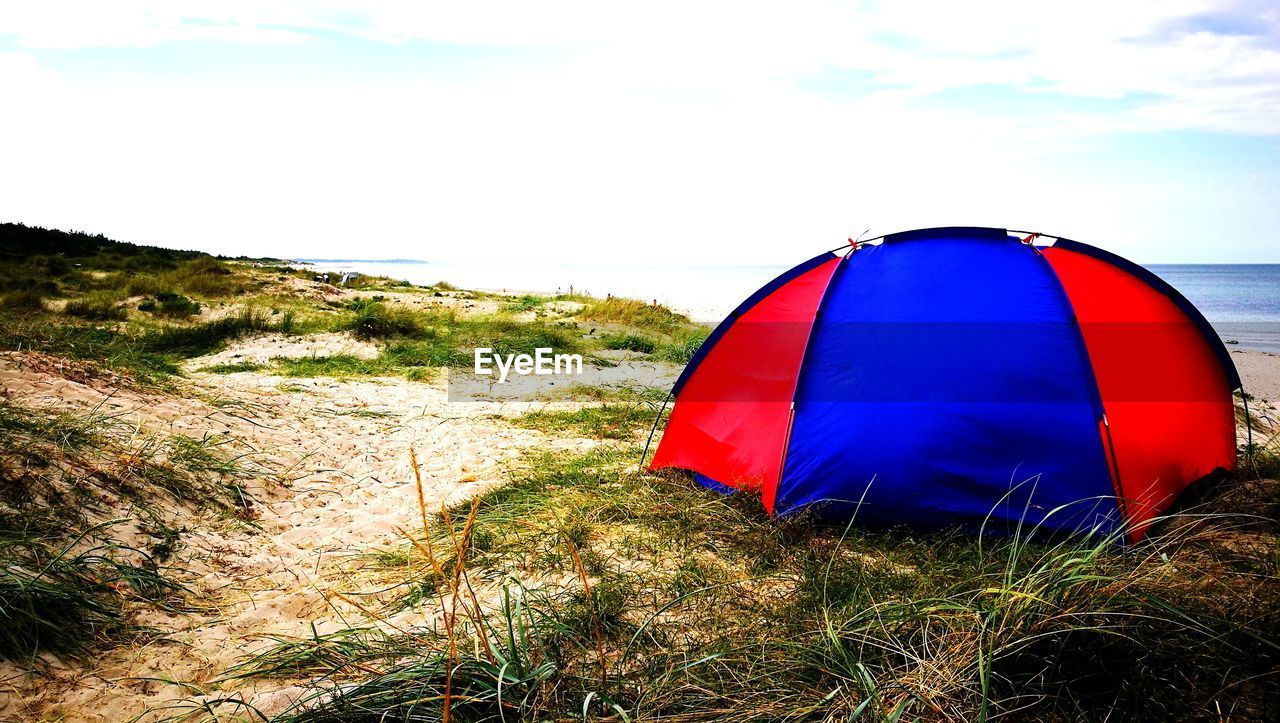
<point x="345" y="487"/>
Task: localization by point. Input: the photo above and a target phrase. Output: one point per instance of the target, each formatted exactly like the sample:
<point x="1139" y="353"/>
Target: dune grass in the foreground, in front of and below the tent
<point x="639" y="597"/>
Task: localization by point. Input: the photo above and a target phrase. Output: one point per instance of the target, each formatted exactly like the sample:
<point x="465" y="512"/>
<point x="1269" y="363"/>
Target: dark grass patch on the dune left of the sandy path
<point x="67" y="584"/>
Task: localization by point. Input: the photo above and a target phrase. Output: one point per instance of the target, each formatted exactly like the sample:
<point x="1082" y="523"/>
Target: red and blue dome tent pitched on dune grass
<point x="961" y="377"/>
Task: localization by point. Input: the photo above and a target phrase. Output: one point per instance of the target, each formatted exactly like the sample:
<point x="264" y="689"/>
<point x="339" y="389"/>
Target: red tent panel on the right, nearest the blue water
<point x="1167" y="397"/>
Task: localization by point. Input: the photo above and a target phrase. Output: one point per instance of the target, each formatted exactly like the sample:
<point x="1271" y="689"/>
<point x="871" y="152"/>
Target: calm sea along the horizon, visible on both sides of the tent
<point x="1241" y="300"/>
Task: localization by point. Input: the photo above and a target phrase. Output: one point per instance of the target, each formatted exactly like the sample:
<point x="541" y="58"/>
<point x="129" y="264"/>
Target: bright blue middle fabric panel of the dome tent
<point x="945" y="383"/>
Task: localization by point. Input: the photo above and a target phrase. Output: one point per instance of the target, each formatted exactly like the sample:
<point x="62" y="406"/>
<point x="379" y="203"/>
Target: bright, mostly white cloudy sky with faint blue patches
<point x="652" y="132"/>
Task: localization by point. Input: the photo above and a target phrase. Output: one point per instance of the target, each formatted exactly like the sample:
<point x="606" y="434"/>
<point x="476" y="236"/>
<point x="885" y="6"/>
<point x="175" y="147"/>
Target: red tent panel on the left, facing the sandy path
<point x="734" y="411"/>
